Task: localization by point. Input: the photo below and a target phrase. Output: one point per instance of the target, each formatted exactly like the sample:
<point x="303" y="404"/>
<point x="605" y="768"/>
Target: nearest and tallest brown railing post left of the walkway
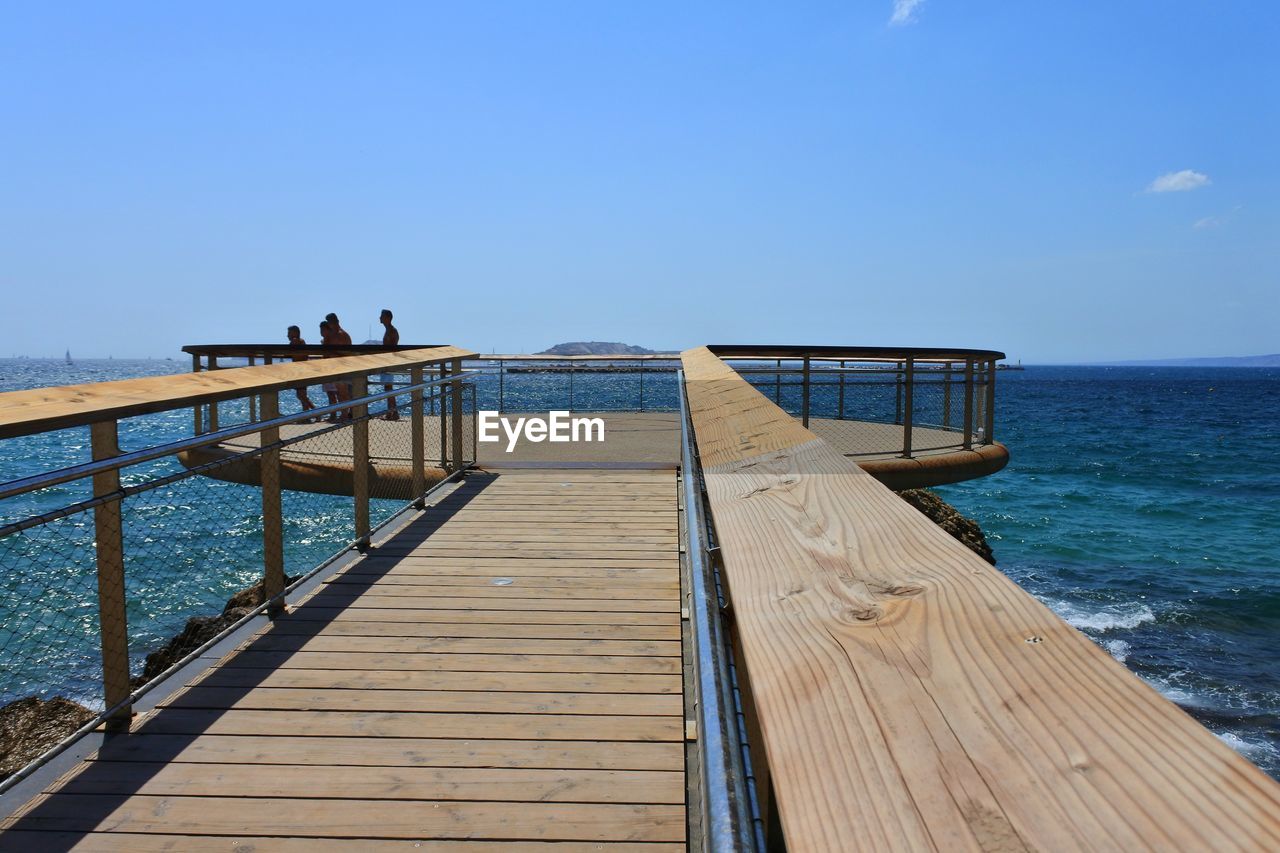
<point x="109" y="546"/>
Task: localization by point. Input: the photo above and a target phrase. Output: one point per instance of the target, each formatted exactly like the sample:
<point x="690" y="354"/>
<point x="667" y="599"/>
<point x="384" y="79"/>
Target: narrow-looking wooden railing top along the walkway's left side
<point x="25" y="413"/>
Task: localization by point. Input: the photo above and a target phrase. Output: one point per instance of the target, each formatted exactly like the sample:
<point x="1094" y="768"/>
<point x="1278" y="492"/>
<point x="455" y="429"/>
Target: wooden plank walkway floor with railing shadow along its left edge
<point x="504" y="674"/>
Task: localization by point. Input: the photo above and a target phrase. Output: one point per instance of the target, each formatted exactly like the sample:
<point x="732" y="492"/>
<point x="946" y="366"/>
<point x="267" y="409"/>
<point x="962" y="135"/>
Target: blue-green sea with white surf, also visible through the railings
<point x="1142" y="505"/>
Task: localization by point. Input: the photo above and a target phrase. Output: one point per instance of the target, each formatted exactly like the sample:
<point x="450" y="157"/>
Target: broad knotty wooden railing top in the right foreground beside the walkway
<point x="909" y="696"/>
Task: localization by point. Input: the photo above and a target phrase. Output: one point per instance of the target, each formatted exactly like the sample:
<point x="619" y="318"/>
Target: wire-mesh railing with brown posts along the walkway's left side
<point x="103" y="562"/>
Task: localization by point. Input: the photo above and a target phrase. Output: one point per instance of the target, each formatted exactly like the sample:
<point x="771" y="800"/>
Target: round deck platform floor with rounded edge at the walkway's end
<point x="323" y="464"/>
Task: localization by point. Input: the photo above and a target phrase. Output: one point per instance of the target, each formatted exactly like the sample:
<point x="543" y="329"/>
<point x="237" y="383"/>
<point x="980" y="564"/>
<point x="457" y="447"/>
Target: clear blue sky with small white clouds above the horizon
<point x="510" y="176"/>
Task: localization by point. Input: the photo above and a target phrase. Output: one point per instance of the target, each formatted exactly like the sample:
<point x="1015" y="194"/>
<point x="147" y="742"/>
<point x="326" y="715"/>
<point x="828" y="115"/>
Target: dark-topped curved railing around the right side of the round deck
<point x="875" y="402"/>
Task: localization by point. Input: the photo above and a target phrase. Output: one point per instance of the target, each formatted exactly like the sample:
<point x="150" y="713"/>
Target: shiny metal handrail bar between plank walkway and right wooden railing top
<point x="728" y="825"/>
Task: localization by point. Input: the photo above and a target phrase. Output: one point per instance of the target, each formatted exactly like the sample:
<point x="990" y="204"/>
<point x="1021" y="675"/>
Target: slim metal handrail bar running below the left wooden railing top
<point x="152" y="454"/>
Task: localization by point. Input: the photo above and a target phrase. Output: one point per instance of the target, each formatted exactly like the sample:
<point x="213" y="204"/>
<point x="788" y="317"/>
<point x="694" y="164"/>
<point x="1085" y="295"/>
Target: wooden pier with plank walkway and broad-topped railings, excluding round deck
<point x="506" y="668"/>
